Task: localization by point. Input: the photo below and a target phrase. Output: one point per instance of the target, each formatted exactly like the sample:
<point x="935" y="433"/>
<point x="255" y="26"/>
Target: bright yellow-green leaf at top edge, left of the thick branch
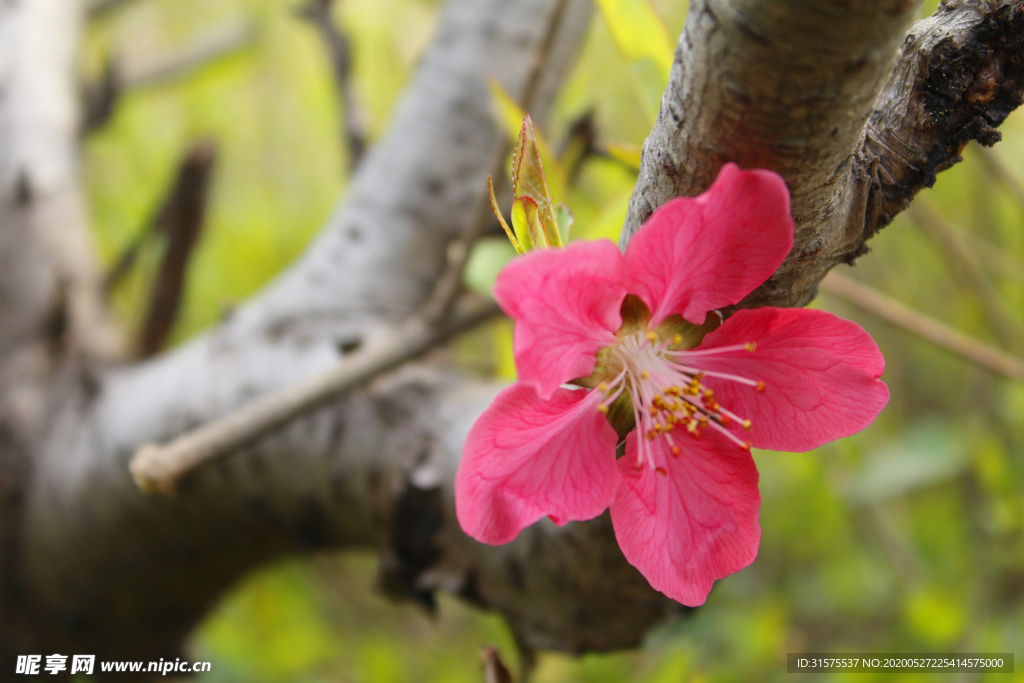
<point x="644" y="40"/>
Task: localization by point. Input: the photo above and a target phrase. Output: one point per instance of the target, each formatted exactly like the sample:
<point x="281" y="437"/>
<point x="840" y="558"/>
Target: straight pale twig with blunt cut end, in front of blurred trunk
<point x="158" y="468"/>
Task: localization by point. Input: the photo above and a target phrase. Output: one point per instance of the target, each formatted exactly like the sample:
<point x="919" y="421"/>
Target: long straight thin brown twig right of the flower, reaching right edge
<point x="924" y="326"/>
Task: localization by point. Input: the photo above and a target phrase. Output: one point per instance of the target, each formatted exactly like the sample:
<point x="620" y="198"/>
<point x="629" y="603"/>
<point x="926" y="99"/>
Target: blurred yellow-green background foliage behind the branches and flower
<point x="909" y="537"/>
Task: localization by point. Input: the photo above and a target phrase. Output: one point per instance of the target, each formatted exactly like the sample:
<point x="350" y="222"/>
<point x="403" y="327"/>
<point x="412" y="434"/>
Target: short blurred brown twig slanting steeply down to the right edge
<point x="1009" y="330"/>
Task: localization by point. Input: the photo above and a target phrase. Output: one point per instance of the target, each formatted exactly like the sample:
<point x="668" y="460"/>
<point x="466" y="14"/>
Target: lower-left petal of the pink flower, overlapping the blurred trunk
<point x="527" y="458"/>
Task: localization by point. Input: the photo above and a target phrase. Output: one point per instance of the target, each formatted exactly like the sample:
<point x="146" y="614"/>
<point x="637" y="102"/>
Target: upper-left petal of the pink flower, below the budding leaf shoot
<point x="566" y="306"/>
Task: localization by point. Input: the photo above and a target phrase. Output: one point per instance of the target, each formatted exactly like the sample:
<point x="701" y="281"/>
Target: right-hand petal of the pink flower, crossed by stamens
<point x="821" y="374"/>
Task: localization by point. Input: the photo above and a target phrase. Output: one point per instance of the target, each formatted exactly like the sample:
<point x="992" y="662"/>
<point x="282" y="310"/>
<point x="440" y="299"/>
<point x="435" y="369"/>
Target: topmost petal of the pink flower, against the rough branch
<point x="699" y="254"/>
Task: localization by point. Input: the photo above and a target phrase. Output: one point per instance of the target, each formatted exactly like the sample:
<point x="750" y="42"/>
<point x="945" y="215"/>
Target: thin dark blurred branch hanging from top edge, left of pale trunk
<point x="320" y="15"/>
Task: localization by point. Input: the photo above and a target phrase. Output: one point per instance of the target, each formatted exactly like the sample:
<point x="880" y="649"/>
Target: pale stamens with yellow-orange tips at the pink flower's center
<point x="665" y="387"/>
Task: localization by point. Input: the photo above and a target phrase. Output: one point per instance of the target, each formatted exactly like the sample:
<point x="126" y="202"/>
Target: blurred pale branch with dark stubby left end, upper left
<point x="120" y="75"/>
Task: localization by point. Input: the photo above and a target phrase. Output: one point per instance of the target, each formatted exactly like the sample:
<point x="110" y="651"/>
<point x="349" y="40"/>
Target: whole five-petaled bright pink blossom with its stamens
<point x="693" y="397"/>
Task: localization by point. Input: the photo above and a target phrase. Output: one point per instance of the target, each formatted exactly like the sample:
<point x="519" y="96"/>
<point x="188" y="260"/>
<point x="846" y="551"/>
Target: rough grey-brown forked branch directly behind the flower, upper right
<point x="795" y="88"/>
